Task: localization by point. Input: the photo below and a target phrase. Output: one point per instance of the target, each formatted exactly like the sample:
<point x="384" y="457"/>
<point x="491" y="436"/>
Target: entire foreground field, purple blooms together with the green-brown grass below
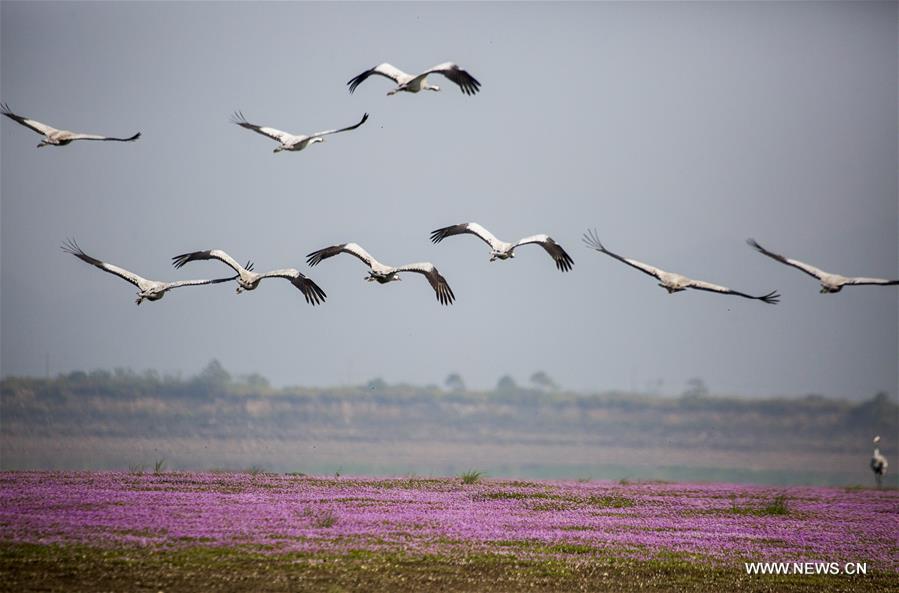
<point x="150" y="531"/>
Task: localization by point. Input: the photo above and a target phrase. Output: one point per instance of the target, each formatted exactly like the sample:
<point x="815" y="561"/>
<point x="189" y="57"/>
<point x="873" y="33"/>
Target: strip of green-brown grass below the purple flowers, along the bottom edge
<point x="512" y="567"/>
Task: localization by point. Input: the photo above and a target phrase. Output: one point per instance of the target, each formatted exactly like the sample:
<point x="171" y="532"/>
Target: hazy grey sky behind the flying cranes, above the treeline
<point x="677" y="130"/>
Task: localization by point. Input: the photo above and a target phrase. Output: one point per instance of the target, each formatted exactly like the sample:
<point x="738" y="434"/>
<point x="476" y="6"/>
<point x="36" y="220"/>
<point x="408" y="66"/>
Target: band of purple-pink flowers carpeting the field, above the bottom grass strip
<point x="712" y="523"/>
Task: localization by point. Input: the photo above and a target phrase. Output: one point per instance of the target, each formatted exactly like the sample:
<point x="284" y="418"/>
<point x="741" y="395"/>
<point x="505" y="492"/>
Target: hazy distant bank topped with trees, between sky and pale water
<point x="214" y="404"/>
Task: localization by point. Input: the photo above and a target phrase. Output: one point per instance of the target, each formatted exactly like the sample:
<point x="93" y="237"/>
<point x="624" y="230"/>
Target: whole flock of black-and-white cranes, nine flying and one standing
<point x="247" y="279"/>
